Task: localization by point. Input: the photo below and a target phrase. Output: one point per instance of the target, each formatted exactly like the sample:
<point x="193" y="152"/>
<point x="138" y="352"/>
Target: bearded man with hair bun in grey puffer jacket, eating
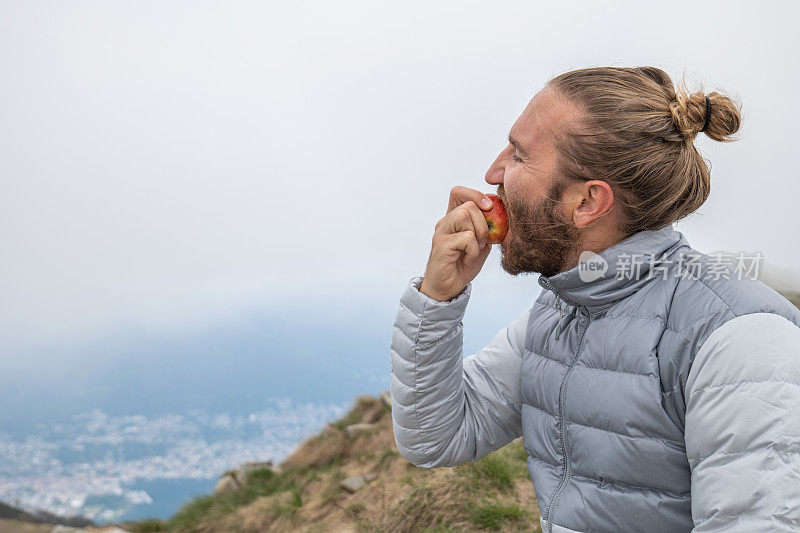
<point x="656" y="388"/>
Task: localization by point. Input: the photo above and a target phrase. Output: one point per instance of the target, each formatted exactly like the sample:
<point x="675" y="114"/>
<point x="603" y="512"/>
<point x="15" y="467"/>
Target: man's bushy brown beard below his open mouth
<point x="542" y="239"/>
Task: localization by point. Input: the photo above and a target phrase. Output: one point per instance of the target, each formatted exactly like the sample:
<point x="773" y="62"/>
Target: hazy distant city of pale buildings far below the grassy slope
<point x="109" y="468"/>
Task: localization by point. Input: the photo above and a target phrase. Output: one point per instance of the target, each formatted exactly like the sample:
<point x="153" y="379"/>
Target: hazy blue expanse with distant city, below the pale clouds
<point x="139" y="424"/>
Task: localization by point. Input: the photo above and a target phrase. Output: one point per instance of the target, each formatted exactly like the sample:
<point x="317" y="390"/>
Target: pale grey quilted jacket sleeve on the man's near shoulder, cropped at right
<point x="743" y="427"/>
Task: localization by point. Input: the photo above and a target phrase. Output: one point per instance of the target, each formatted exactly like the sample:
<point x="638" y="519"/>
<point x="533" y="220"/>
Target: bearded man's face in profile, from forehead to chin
<point x="541" y="237"/>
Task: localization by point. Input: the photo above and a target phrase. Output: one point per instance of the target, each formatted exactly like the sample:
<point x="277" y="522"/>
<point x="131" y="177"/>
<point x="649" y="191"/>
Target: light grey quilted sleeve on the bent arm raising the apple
<point x="447" y="409"/>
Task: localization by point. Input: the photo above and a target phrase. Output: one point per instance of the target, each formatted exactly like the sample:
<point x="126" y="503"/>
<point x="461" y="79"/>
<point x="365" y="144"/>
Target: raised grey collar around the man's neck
<point x="616" y="272"/>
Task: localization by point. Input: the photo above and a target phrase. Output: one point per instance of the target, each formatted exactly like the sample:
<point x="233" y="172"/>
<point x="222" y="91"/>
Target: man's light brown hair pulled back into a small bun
<point x="637" y="133"/>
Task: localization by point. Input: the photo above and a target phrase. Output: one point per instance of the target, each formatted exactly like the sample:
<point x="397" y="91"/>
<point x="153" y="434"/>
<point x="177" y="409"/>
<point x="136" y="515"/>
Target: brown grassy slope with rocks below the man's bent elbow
<point x="350" y="477"/>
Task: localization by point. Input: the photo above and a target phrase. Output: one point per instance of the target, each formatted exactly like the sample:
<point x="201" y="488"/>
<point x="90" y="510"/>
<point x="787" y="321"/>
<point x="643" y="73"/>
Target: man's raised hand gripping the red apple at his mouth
<point x="459" y="248"/>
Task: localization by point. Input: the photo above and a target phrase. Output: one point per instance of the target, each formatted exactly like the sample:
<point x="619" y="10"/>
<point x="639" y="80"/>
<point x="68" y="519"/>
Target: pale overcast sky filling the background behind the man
<point x="172" y="164"/>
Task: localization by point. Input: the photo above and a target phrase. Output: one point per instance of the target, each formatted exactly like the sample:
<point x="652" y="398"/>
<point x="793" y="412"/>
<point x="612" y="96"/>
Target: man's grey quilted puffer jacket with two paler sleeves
<point x="659" y="393"/>
